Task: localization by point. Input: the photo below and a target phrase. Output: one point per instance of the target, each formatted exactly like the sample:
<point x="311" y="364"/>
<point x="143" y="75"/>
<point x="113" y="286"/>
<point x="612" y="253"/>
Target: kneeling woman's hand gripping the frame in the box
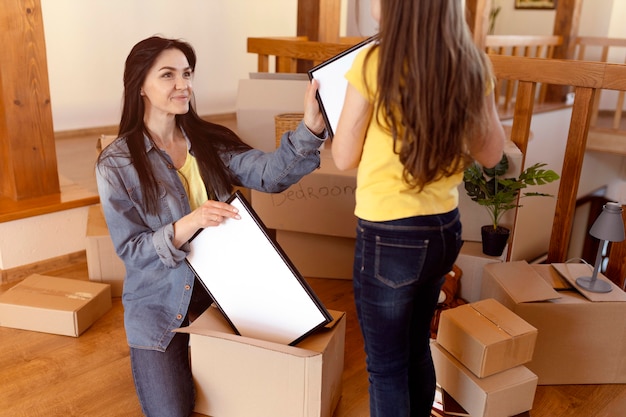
<point x="211" y="213"/>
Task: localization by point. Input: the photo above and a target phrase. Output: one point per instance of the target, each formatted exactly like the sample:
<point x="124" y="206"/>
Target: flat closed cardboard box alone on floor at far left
<point x="54" y="305"/>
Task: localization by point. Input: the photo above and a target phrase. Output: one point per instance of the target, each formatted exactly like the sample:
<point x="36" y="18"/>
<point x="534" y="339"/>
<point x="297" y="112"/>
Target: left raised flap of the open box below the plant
<point x="521" y="282"/>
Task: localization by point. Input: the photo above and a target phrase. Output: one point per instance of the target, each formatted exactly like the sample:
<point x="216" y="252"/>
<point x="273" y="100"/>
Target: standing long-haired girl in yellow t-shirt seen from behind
<point x="419" y="108"/>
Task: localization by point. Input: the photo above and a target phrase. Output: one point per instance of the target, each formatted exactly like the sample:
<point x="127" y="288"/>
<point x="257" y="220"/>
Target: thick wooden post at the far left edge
<point x="28" y="165"/>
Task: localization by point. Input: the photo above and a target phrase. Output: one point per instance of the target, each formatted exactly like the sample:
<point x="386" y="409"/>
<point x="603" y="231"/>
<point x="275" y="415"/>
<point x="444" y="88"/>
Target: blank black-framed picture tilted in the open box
<point x="252" y="281"/>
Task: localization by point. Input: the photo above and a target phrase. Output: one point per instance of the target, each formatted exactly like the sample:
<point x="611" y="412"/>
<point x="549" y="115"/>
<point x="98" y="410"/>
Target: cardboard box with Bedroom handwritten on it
<point x="320" y="203"/>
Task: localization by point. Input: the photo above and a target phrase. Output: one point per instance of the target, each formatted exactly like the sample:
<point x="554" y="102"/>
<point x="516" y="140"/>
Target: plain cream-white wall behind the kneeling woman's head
<point x="87" y="43"/>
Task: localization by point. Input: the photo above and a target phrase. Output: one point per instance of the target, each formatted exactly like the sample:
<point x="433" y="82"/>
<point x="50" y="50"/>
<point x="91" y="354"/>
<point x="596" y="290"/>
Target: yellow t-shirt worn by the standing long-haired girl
<point x="381" y="192"/>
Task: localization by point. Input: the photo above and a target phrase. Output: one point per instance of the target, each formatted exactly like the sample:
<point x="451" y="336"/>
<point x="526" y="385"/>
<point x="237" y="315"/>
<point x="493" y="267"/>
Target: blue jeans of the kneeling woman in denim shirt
<point x="163" y="379"/>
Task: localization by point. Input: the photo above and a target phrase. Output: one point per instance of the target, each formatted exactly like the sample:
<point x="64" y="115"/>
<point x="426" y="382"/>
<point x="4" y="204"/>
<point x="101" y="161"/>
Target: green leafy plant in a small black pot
<point x="491" y="189"/>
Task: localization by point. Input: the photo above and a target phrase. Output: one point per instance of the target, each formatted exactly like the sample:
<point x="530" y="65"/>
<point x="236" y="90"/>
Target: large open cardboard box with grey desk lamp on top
<point x="579" y="341"/>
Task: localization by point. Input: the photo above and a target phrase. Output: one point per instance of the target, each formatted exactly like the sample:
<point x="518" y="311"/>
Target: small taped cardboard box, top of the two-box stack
<point x="486" y="337"/>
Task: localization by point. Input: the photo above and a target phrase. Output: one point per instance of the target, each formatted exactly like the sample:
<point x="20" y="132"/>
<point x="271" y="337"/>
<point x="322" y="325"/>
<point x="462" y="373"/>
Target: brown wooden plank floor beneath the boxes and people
<point x="49" y="375"/>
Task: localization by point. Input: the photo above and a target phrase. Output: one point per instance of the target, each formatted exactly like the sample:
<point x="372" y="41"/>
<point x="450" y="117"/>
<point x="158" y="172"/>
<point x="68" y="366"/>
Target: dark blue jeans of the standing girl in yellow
<point x="399" y="268"/>
